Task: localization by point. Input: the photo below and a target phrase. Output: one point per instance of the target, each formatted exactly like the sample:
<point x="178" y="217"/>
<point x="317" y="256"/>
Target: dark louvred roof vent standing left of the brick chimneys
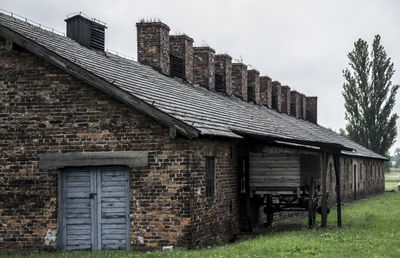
<point x="86" y="31"/>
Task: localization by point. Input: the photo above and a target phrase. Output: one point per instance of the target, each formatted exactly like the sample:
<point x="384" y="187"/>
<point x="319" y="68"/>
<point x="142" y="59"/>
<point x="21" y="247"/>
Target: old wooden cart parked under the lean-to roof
<point x="283" y="182"/>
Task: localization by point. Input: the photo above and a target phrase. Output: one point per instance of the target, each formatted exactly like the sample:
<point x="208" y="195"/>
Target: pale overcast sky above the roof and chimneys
<point x="303" y="44"/>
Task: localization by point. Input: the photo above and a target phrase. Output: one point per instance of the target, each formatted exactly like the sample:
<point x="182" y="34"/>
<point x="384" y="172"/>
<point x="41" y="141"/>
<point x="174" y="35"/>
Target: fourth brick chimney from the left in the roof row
<point x="223" y="74"/>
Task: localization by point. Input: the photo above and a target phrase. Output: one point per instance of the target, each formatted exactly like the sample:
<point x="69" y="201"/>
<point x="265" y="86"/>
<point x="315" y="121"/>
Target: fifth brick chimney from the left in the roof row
<point x="239" y="80"/>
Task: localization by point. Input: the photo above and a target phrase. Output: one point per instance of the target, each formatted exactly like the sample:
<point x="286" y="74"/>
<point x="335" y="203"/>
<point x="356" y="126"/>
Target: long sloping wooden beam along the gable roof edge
<point x="98" y="82"/>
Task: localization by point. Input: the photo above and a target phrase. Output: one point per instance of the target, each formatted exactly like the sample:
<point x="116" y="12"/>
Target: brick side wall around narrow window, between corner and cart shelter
<point x="219" y="216"/>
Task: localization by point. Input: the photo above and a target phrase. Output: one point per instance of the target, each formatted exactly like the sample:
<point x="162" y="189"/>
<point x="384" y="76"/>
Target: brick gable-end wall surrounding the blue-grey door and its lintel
<point x="45" y="110"/>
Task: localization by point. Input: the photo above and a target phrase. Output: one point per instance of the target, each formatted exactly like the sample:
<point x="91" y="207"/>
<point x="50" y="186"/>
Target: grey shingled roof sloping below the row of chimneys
<point x="192" y="109"/>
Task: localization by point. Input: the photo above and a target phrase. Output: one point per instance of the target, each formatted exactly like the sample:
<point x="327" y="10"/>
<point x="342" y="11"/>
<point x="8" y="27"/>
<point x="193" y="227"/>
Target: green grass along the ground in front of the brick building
<point x="371" y="228"/>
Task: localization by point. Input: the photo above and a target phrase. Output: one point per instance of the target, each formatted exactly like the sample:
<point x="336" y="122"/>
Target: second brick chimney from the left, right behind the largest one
<point x="181" y="57"/>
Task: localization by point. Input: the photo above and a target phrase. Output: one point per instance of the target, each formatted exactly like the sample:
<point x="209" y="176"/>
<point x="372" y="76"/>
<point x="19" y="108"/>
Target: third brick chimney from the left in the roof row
<point x="204" y="67"/>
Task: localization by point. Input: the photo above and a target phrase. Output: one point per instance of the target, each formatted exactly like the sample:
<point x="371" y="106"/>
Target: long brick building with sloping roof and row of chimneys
<point x="98" y="151"/>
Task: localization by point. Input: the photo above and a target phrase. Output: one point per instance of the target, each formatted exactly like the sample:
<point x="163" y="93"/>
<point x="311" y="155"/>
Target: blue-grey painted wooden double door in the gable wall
<point x="94" y="208"/>
